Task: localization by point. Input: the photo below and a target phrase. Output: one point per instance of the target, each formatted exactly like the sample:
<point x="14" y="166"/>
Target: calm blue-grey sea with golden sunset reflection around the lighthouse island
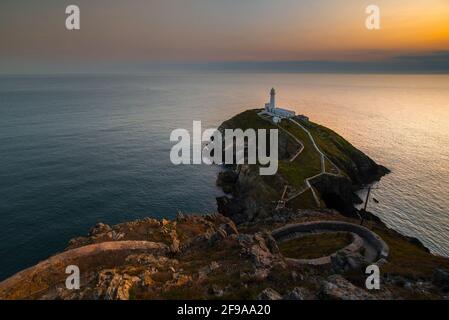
<point x="79" y="149"/>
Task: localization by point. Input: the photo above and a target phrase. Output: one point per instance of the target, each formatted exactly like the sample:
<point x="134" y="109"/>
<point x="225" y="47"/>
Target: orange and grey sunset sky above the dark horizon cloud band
<point x="182" y="31"/>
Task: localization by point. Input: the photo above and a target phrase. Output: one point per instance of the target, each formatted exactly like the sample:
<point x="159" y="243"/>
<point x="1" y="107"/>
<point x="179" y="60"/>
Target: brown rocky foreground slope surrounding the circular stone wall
<point x="209" y="257"/>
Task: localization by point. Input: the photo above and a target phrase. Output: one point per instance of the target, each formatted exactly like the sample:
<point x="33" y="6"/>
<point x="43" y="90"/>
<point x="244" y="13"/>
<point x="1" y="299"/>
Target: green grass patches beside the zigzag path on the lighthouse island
<point x="308" y="163"/>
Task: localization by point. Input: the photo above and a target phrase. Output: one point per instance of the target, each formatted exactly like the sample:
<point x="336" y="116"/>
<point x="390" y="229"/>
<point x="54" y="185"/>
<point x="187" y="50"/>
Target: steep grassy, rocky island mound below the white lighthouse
<point x="337" y="169"/>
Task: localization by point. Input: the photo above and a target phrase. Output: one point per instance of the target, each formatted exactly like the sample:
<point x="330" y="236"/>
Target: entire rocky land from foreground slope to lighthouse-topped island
<point x="295" y="235"/>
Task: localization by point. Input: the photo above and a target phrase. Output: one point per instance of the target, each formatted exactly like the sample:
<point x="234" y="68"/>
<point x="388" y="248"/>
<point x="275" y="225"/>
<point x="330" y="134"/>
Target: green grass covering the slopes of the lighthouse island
<point x="340" y="157"/>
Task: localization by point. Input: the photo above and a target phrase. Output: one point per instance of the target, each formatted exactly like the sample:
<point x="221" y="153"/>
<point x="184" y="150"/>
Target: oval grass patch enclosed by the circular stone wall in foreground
<point x="314" y="245"/>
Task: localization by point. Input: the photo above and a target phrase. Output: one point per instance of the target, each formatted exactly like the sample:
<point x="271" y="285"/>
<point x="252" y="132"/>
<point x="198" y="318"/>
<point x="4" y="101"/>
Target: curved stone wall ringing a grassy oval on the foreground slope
<point x="362" y="238"/>
